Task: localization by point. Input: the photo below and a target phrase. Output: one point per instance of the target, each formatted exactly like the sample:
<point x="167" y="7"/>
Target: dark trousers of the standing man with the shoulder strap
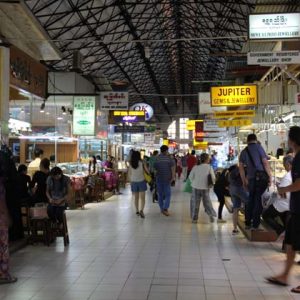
<point x="253" y="208"/>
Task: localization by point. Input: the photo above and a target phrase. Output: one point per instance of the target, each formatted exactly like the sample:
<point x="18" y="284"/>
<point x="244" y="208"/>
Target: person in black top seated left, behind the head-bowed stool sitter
<point x="38" y="184"/>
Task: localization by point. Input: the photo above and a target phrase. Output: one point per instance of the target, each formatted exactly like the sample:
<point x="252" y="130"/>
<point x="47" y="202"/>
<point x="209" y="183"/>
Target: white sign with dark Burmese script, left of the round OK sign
<point x="114" y="101"/>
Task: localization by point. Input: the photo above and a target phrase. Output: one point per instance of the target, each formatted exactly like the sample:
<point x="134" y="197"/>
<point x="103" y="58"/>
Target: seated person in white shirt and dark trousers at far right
<point x="280" y="208"/>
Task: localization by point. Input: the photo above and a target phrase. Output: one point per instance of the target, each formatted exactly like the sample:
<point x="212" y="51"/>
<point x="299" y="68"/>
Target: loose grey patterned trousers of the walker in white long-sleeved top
<point x="197" y="195"/>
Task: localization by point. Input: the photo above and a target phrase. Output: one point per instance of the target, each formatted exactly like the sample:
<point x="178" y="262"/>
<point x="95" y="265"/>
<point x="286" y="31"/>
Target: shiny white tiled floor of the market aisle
<point x="115" y="255"/>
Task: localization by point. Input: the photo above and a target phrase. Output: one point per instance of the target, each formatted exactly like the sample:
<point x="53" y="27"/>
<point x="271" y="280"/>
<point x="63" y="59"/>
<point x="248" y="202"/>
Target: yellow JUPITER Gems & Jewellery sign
<point x="243" y="95"/>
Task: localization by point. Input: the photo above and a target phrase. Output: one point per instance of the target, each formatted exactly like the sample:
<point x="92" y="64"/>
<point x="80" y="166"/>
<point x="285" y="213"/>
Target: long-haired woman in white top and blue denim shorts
<point x="138" y="182"/>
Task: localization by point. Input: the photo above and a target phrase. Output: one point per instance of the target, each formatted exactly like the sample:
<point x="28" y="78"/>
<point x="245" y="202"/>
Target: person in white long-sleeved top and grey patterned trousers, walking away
<point x="200" y="184"/>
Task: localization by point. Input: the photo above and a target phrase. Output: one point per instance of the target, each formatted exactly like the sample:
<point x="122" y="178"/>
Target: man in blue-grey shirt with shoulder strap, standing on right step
<point x="256" y="180"/>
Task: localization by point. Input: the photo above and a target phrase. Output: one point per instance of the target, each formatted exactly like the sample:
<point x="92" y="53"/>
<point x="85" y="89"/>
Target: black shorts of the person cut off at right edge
<point x="292" y="233"/>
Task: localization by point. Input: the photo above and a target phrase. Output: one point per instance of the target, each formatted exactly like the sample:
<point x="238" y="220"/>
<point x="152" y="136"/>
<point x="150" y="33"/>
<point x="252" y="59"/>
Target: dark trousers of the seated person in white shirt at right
<point x="271" y="216"/>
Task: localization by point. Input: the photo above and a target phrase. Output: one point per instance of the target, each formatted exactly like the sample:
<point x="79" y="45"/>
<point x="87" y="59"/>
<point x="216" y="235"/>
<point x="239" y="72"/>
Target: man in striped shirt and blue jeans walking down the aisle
<point x="164" y="166"/>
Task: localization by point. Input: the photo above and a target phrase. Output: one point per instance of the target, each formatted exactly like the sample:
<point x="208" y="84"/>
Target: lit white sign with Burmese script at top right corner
<point x="274" y="26"/>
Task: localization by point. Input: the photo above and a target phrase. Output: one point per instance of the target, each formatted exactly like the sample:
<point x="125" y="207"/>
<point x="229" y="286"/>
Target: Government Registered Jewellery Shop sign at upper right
<point x="273" y="58"/>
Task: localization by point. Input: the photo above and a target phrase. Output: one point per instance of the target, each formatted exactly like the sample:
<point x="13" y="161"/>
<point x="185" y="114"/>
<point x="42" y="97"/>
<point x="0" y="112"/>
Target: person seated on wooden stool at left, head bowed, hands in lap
<point x="57" y="192"/>
